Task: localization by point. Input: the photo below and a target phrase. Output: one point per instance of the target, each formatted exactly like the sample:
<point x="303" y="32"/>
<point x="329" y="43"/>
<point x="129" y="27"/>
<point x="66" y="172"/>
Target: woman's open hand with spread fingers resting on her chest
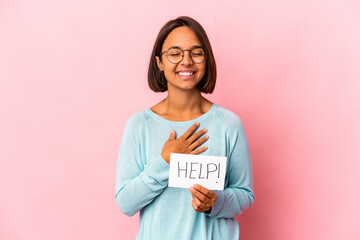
<point x="186" y="143"/>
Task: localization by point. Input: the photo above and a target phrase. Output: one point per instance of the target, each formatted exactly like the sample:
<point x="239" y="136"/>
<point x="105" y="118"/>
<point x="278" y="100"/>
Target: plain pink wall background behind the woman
<point x="72" y="72"/>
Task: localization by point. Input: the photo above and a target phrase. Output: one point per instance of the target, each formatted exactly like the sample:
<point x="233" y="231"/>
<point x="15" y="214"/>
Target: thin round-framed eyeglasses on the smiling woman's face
<point x="176" y="55"/>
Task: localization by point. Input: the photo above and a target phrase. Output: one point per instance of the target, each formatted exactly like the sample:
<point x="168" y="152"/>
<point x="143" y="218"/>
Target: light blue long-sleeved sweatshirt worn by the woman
<point x="166" y="213"/>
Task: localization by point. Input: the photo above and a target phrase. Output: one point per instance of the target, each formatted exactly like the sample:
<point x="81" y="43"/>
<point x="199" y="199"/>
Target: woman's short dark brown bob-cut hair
<point x="156" y="78"/>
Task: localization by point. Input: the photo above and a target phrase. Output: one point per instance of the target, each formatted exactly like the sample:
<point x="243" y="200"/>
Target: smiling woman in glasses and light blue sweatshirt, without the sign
<point x="182" y="64"/>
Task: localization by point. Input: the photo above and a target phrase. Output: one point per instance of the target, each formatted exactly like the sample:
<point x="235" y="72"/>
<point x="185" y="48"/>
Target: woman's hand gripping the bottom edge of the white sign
<point x="203" y="198"/>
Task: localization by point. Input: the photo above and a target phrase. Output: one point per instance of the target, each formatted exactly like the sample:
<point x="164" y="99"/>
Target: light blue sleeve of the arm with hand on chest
<point x="137" y="184"/>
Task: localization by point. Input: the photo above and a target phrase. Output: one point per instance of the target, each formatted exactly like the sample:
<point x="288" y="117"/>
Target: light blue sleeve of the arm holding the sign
<point x="238" y="194"/>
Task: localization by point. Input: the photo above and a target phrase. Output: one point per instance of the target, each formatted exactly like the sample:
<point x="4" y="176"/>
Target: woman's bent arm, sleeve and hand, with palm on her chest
<point x="138" y="185"/>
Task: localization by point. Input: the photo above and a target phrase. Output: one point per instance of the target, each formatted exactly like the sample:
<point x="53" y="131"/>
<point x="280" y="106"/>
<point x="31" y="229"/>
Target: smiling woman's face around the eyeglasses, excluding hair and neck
<point x="177" y="75"/>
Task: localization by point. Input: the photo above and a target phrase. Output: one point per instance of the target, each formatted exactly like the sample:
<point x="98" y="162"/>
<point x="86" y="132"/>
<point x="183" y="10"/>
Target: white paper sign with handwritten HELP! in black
<point x="187" y="170"/>
